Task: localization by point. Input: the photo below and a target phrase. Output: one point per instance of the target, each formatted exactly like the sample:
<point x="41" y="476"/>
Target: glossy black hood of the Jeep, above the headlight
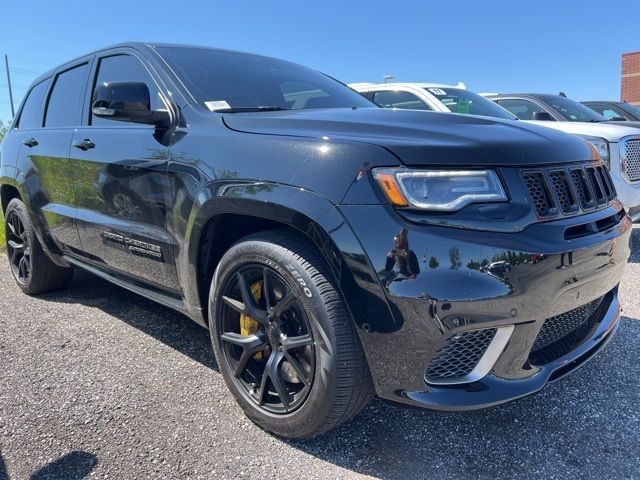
<point x="424" y="138"/>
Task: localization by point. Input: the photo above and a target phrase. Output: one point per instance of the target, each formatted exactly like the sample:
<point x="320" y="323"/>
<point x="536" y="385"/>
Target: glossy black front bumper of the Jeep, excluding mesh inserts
<point x="450" y="281"/>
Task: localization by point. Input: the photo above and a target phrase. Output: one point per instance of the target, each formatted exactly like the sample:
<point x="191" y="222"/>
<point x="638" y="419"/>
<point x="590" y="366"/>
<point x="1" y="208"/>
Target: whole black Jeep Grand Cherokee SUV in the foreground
<point x="333" y="249"/>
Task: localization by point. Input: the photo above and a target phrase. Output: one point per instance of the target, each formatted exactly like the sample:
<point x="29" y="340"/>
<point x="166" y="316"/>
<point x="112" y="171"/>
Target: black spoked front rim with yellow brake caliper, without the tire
<point x="274" y="364"/>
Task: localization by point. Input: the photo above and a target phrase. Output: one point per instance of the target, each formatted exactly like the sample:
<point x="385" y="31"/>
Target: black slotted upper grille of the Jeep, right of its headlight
<point x="564" y="191"/>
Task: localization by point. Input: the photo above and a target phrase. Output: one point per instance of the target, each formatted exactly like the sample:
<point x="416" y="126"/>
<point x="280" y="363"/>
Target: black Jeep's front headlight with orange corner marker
<point x="439" y="190"/>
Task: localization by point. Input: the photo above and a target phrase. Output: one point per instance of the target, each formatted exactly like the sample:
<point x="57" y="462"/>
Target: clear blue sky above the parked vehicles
<point x="501" y="45"/>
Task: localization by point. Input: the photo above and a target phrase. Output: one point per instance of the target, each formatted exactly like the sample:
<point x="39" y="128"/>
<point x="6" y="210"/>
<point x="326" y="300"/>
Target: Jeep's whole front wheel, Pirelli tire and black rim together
<point x="283" y="339"/>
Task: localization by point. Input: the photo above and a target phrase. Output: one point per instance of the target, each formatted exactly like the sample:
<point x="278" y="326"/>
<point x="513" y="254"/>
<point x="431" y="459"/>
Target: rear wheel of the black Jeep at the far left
<point x="32" y="269"/>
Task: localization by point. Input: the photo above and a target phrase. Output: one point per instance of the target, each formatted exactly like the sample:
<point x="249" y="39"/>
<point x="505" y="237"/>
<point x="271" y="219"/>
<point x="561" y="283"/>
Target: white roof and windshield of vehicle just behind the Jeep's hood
<point x="436" y="97"/>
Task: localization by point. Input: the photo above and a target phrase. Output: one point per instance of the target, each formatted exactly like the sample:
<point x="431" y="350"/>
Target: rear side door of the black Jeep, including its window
<point x="44" y="156"/>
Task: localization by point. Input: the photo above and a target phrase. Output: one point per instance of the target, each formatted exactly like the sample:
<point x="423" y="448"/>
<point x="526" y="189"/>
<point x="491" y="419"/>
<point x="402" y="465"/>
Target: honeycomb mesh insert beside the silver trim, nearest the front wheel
<point x="460" y="354"/>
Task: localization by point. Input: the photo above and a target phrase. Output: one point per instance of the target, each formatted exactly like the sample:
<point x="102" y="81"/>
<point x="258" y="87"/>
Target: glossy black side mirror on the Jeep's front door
<point x="126" y="102"/>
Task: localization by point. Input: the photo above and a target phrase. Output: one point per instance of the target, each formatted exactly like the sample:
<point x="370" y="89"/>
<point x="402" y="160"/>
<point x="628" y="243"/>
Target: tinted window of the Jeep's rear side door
<point x="65" y="102"/>
